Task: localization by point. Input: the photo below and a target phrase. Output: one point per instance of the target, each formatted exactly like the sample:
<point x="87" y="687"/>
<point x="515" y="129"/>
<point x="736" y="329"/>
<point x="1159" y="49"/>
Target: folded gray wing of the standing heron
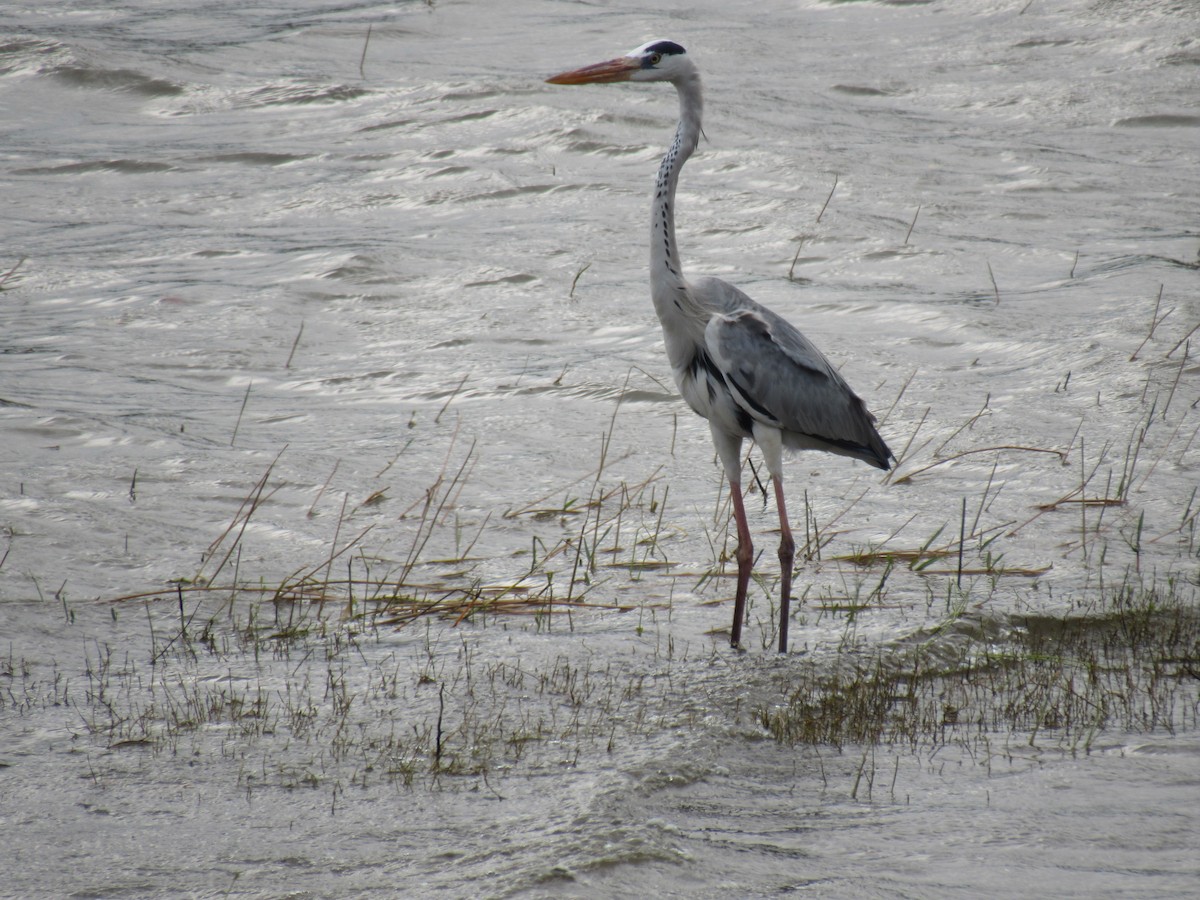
<point x="778" y="377"/>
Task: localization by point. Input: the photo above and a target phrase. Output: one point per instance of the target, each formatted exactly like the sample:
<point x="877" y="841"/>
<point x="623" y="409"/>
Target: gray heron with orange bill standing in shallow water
<point x="748" y="371"/>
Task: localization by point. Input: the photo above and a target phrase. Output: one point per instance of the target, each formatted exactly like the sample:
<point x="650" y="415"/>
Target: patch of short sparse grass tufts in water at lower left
<point x="299" y="700"/>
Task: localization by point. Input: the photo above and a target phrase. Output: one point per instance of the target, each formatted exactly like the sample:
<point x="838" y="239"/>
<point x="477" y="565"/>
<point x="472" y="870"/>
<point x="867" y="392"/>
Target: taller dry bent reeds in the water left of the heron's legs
<point x="613" y="526"/>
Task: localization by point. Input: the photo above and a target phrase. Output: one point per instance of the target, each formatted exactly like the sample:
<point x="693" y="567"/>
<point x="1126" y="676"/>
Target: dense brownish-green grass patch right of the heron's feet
<point x="1130" y="663"/>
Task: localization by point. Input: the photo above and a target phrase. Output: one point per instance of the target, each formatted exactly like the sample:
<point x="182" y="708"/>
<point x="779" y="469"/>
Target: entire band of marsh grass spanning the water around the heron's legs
<point x="364" y="667"/>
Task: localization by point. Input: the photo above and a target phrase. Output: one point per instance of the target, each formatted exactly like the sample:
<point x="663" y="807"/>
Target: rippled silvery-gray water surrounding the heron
<point x="249" y="241"/>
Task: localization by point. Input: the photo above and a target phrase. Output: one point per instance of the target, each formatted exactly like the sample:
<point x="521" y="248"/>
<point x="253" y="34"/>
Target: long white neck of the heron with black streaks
<point x="667" y="269"/>
